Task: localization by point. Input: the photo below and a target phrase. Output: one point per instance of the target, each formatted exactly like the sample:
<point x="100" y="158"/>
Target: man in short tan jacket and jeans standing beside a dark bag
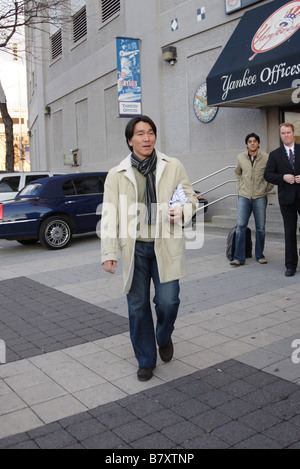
<point x="252" y="197"/>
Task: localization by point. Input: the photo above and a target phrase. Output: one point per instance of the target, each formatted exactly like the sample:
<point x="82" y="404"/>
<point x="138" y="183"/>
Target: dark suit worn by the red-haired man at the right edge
<point x="289" y="198"/>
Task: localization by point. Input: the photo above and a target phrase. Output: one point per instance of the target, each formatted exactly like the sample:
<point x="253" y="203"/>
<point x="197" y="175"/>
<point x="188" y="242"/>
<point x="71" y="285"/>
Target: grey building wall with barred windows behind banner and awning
<point x="74" y="120"/>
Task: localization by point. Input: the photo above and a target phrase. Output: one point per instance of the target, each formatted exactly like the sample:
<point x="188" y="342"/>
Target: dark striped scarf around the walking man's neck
<point x="147" y="167"/>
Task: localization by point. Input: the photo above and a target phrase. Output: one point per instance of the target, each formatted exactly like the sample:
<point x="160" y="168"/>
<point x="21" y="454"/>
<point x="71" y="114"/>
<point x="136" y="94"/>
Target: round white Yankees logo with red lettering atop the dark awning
<point x="278" y="28"/>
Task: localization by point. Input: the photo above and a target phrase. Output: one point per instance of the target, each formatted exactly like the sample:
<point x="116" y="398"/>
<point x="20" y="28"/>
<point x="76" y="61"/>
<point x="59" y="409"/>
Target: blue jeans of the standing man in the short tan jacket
<point x="245" y="208"/>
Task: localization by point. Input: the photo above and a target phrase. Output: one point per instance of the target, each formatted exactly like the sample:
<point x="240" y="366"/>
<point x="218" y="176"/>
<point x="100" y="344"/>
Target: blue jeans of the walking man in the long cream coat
<point x="166" y="300"/>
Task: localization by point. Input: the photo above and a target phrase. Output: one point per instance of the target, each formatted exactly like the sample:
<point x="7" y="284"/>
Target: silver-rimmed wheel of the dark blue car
<point x="55" y="233"/>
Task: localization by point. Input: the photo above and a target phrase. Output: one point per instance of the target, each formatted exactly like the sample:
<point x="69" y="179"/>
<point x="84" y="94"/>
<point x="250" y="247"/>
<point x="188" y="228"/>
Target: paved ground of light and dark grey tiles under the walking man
<point x="69" y="380"/>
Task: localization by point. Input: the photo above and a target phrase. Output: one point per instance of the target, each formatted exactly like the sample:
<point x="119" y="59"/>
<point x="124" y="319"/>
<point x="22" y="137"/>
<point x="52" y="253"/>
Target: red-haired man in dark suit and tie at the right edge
<point x="283" y="169"/>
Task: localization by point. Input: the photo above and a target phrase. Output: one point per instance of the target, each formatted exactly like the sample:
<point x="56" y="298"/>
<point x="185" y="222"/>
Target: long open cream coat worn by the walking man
<point x="119" y="218"/>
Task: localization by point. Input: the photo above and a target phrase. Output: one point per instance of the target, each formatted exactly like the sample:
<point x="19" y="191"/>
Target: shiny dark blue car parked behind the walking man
<point x="51" y="210"/>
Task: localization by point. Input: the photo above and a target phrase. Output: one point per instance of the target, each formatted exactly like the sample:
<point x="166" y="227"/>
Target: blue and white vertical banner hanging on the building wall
<point x="129" y="77"/>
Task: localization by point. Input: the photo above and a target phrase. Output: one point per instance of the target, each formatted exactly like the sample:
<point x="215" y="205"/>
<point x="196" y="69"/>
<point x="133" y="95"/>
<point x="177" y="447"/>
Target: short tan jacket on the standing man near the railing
<point x="250" y="179"/>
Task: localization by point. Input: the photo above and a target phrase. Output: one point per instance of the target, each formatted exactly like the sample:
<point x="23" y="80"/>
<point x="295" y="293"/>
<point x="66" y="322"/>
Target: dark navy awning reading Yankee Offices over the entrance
<point x="260" y="64"/>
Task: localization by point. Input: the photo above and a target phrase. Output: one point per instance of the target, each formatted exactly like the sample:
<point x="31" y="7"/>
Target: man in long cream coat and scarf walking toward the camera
<point x="137" y="218"/>
